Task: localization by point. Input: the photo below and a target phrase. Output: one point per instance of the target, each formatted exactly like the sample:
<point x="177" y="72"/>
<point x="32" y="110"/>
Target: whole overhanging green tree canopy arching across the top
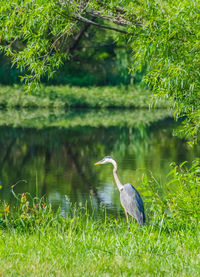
<point x="164" y="37"/>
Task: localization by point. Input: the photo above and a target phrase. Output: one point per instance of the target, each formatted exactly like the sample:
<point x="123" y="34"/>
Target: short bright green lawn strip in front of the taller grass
<point x="105" y="250"/>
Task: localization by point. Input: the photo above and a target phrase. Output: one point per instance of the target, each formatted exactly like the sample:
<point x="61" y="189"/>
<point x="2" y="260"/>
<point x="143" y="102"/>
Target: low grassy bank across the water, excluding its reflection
<point x="70" y="97"/>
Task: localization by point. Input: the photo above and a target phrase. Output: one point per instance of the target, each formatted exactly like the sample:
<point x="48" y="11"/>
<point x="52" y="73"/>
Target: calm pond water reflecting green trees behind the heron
<point x="58" y="152"/>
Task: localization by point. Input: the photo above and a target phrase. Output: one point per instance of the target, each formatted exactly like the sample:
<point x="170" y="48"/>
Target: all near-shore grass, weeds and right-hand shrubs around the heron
<point x="35" y="241"/>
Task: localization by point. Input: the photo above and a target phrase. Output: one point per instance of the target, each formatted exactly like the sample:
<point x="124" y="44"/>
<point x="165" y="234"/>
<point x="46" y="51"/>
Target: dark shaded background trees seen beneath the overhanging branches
<point x="97" y="59"/>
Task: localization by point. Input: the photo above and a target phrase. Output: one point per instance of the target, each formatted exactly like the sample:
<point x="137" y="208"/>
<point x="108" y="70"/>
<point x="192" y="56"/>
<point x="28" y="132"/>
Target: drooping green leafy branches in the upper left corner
<point x="33" y="26"/>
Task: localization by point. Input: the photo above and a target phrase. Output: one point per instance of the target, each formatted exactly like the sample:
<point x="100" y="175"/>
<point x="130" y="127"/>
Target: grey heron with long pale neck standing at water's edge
<point x="129" y="196"/>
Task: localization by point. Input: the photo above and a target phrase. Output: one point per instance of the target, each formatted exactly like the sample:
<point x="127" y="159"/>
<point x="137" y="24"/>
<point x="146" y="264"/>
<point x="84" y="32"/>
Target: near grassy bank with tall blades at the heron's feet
<point x="46" y="244"/>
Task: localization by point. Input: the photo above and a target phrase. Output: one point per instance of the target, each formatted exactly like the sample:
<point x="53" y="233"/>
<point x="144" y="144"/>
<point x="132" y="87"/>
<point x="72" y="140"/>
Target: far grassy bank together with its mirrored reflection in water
<point x="65" y="107"/>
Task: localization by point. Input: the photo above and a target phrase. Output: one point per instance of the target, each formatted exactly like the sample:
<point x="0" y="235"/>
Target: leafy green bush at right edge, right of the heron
<point x="184" y="191"/>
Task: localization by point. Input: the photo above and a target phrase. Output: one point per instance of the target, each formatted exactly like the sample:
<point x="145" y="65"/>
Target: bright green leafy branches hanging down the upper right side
<point x="168" y="42"/>
